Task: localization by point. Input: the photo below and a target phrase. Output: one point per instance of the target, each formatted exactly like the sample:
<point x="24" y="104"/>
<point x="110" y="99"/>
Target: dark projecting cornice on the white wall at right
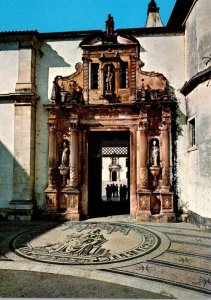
<point x="199" y="78"/>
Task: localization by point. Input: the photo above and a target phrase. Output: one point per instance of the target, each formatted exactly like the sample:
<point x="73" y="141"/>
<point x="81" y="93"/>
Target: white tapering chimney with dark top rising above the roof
<point x="153" y="16"/>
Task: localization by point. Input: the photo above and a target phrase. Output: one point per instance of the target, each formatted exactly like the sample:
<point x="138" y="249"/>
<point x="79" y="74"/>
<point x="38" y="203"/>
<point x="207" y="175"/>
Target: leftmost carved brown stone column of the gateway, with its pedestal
<point x="51" y="193"/>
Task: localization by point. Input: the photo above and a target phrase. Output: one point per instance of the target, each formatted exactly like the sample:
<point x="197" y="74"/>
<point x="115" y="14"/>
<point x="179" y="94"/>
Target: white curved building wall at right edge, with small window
<point x="198" y="46"/>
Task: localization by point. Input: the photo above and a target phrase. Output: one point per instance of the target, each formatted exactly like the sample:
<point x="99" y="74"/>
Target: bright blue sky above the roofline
<point x="71" y="15"/>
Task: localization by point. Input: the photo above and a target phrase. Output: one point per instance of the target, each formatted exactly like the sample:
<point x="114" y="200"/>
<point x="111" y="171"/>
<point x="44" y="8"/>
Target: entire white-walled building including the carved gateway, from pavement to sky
<point x="64" y="96"/>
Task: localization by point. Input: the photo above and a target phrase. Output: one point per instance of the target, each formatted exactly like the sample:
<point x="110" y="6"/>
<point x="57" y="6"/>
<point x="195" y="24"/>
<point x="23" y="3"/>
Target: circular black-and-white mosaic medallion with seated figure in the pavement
<point x="85" y="243"/>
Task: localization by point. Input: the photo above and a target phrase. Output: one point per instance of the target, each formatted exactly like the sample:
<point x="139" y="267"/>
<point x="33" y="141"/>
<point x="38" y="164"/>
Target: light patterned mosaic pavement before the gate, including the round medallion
<point x="171" y="260"/>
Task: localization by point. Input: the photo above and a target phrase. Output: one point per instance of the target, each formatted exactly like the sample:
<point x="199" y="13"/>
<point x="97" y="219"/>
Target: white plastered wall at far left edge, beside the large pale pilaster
<point x="8" y="77"/>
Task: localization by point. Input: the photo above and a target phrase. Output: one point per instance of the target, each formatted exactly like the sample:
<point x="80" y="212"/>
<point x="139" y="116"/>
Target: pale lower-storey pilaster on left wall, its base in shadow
<point x="21" y="207"/>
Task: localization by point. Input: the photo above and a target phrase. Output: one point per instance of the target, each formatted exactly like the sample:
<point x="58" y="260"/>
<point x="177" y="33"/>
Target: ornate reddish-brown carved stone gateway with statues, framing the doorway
<point x="110" y="92"/>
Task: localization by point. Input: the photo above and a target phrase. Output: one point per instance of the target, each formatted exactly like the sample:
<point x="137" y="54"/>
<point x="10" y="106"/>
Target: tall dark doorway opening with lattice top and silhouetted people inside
<point x="109" y="173"/>
